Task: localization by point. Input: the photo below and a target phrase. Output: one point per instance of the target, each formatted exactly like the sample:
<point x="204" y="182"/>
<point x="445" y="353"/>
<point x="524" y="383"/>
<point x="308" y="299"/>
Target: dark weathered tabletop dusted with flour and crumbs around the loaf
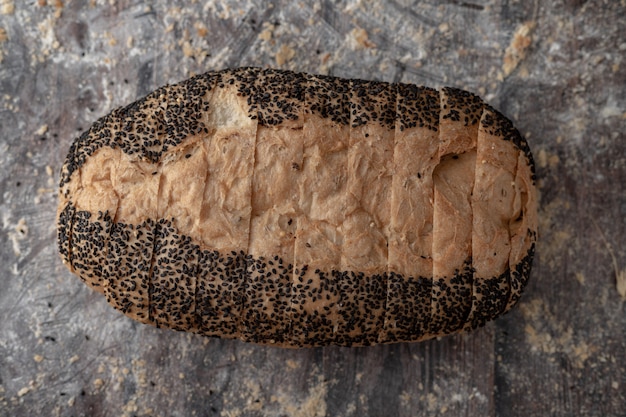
<point x="557" y="69"/>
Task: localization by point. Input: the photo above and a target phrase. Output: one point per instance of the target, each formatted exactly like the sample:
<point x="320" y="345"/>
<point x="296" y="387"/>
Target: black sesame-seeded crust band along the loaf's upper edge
<point x="184" y="113"/>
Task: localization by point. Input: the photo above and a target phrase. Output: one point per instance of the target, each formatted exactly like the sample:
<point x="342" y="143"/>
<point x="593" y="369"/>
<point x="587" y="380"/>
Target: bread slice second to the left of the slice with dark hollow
<point x="363" y="281"/>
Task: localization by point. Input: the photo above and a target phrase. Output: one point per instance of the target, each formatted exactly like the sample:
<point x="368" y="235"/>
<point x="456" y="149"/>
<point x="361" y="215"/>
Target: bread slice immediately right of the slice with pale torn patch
<point x="277" y="97"/>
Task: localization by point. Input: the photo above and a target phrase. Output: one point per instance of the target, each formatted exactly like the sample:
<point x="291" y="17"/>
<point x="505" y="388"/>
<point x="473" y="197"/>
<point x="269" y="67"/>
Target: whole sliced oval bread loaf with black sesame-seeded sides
<point x="301" y="210"/>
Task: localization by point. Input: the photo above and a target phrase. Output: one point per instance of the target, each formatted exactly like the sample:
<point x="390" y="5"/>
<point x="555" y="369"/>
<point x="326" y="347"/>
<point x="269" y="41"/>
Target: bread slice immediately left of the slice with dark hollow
<point x="408" y="307"/>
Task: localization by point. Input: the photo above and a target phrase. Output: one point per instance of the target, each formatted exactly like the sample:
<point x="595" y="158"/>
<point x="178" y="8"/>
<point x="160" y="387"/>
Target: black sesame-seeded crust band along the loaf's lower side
<point x="206" y="297"/>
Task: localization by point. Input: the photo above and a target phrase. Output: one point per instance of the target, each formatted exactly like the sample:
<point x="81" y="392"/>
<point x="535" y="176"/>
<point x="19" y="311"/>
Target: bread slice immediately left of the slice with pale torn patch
<point x="183" y="172"/>
